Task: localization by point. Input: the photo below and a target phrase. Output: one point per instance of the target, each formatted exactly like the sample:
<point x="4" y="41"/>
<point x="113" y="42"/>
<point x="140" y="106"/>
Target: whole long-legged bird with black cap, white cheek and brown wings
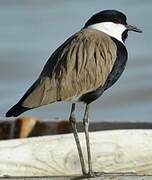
<point x="80" y="70"/>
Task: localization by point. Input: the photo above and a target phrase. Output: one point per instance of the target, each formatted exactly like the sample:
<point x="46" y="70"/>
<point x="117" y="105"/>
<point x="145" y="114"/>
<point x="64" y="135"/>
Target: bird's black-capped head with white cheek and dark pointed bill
<point x="113" y="23"/>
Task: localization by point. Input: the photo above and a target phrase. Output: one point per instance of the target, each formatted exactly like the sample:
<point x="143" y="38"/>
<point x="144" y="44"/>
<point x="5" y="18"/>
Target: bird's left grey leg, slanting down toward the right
<point x="72" y="122"/>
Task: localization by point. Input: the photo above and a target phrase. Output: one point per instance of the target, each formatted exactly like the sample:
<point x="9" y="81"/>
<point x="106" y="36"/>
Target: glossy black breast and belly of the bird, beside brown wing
<point x="114" y="75"/>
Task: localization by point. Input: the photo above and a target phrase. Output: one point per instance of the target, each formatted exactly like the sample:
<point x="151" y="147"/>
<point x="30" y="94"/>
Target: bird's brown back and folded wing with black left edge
<point x="80" y="65"/>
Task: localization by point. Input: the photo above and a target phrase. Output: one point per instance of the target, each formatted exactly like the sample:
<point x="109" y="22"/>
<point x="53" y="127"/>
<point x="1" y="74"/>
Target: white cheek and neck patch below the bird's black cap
<point x="110" y="28"/>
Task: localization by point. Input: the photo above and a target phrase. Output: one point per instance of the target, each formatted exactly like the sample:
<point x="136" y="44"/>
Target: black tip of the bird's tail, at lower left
<point x="16" y="110"/>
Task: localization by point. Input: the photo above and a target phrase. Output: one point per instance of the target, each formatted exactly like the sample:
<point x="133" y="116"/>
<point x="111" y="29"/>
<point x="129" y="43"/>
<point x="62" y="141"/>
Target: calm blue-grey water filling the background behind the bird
<point x="30" y="30"/>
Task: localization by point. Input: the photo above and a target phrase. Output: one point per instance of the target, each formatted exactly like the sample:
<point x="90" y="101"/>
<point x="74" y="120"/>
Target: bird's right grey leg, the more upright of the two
<point x="86" y="130"/>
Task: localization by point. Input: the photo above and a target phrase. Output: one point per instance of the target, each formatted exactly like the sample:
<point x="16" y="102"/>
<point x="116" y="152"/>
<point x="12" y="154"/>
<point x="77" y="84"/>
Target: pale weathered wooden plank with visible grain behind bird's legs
<point x="113" y="151"/>
